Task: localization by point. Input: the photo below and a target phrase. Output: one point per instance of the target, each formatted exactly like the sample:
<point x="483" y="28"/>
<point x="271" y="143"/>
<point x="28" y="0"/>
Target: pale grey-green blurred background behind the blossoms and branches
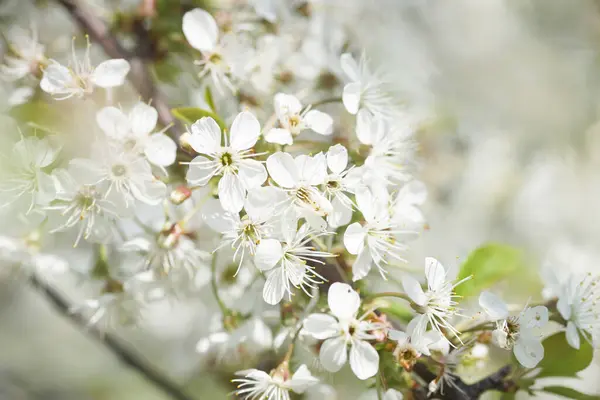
<point x="509" y="150"/>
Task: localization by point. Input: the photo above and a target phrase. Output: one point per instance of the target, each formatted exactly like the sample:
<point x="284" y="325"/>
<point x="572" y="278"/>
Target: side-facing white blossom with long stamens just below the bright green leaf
<point x="438" y="303"/>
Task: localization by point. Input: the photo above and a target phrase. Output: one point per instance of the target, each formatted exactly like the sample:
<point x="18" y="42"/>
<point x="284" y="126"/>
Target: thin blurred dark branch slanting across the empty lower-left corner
<point x="124" y="354"/>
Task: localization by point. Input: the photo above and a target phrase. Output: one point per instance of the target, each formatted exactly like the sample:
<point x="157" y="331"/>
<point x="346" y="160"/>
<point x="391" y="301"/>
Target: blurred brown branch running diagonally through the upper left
<point x="140" y="75"/>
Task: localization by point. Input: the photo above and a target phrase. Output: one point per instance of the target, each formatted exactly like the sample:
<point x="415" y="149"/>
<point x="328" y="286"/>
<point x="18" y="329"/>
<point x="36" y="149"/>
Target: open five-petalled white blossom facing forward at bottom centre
<point x="344" y="329"/>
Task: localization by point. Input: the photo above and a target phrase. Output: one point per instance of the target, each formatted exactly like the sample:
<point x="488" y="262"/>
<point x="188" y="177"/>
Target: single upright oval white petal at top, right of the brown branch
<point x="200" y="29"/>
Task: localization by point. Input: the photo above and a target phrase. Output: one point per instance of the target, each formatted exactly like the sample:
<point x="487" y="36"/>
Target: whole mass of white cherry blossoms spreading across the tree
<point x="295" y="177"/>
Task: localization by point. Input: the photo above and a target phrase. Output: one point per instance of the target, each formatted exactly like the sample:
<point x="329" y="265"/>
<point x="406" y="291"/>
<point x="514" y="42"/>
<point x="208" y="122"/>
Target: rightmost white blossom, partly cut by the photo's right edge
<point x="579" y="305"/>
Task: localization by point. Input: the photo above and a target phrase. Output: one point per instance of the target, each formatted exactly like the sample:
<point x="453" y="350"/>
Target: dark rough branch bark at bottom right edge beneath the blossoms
<point x="461" y="390"/>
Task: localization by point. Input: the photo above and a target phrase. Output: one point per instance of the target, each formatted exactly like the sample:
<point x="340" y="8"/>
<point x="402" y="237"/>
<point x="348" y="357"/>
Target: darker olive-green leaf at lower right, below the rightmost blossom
<point x="560" y="359"/>
